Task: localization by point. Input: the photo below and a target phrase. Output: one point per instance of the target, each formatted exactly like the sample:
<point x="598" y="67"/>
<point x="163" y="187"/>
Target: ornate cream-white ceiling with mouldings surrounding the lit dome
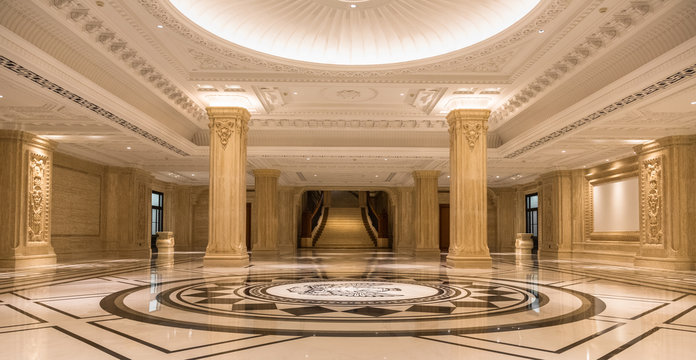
<point x="102" y="79"/>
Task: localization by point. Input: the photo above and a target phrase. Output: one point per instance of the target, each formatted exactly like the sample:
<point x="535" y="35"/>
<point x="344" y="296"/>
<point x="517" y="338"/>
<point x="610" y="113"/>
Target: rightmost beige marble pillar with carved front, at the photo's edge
<point x="667" y="169"/>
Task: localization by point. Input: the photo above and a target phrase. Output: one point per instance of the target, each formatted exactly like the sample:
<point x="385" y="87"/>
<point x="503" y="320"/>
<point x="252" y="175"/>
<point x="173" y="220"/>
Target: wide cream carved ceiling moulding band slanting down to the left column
<point x="94" y="27"/>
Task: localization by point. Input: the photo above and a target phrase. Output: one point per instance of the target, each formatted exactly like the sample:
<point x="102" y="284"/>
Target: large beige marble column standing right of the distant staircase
<point x="468" y="192"/>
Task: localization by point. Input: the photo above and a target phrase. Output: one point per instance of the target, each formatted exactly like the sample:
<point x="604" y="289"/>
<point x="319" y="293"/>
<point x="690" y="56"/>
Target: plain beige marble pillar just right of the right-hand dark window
<point x="555" y="215"/>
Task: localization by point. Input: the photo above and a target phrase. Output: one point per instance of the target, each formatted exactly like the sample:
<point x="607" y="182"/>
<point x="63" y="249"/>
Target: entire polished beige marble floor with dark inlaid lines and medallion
<point x="347" y="305"/>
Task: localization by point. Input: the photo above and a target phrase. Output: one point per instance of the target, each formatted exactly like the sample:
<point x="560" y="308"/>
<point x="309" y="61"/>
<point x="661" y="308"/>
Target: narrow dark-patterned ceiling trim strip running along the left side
<point x="79" y="100"/>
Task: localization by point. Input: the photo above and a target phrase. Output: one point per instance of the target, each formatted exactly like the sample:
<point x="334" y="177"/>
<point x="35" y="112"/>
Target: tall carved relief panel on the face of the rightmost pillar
<point x="652" y="200"/>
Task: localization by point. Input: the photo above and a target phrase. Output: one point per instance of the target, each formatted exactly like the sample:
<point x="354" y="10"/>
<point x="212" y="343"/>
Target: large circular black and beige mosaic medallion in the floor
<point x="352" y="305"/>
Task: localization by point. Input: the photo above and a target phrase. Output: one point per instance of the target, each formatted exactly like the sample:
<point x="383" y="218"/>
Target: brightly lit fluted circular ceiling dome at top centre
<point x="355" y="32"/>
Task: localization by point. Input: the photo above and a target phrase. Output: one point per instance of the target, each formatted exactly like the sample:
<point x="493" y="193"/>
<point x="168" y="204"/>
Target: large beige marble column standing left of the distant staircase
<point x="227" y="208"/>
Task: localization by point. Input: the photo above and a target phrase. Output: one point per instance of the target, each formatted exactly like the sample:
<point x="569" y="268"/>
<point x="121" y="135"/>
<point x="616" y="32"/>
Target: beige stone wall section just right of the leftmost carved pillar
<point x="76" y="224"/>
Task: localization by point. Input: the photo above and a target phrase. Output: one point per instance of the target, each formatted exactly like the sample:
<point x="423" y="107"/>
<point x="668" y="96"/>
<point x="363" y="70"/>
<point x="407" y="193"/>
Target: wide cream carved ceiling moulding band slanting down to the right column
<point x="592" y="45"/>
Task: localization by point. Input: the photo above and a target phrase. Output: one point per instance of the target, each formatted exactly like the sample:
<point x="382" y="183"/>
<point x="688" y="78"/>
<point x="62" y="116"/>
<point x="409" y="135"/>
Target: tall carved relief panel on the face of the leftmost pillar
<point x="37" y="207"/>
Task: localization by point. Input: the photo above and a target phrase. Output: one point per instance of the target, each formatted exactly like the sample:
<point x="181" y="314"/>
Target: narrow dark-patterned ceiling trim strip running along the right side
<point x="616" y="105"/>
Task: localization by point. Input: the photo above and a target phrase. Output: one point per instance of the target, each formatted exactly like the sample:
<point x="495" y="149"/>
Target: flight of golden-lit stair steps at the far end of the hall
<point x="345" y="229"/>
